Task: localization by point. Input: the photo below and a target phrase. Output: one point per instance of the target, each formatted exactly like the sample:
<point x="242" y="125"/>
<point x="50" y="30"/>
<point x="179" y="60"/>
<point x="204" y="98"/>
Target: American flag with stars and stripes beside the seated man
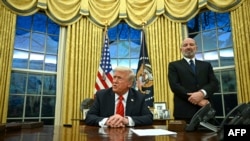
<point x="105" y="75"/>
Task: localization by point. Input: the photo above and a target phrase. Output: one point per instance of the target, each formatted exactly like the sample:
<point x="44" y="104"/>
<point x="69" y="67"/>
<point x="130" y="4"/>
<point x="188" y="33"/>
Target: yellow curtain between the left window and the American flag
<point x="83" y="51"/>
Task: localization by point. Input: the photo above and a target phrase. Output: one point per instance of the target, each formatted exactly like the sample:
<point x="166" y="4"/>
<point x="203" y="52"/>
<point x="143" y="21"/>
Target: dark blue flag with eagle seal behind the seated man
<point x="144" y="74"/>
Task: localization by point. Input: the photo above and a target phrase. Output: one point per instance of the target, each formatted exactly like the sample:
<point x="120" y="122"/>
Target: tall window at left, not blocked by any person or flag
<point x="34" y="70"/>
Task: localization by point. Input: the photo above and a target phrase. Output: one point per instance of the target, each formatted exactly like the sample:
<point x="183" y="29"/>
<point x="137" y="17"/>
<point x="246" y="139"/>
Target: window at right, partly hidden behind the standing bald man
<point x="212" y="32"/>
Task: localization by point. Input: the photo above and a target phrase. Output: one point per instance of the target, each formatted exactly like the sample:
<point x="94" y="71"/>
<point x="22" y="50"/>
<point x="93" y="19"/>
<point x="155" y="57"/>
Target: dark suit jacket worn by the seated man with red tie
<point x="104" y="106"/>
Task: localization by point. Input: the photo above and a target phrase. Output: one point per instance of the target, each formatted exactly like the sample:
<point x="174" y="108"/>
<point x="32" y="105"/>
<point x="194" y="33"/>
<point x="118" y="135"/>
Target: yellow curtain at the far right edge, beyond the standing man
<point x="240" y="19"/>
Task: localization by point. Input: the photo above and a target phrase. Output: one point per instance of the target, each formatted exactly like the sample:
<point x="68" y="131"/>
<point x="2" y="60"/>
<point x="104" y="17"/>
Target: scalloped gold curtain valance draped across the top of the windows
<point x="110" y="12"/>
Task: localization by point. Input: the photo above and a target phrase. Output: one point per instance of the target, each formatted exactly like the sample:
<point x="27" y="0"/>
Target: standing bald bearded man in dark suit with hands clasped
<point x="192" y="87"/>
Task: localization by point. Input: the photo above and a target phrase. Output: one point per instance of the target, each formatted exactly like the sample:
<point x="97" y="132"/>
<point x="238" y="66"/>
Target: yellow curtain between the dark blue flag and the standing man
<point x="163" y="41"/>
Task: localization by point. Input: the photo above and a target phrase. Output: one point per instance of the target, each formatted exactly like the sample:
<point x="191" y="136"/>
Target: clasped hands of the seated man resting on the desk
<point x="117" y="121"/>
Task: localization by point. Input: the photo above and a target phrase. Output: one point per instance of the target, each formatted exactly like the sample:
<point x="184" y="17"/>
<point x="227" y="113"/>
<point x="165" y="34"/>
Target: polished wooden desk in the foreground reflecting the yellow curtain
<point x="91" y="133"/>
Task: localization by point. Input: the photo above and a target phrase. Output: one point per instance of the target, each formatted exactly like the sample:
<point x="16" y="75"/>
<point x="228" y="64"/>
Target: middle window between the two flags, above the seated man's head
<point x="124" y="44"/>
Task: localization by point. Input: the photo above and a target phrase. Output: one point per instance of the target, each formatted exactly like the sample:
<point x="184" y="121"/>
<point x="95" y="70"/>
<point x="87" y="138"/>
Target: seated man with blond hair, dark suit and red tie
<point x="107" y="111"/>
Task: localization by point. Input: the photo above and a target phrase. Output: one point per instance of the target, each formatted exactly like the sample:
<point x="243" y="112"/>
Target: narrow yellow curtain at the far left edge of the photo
<point x="7" y="32"/>
